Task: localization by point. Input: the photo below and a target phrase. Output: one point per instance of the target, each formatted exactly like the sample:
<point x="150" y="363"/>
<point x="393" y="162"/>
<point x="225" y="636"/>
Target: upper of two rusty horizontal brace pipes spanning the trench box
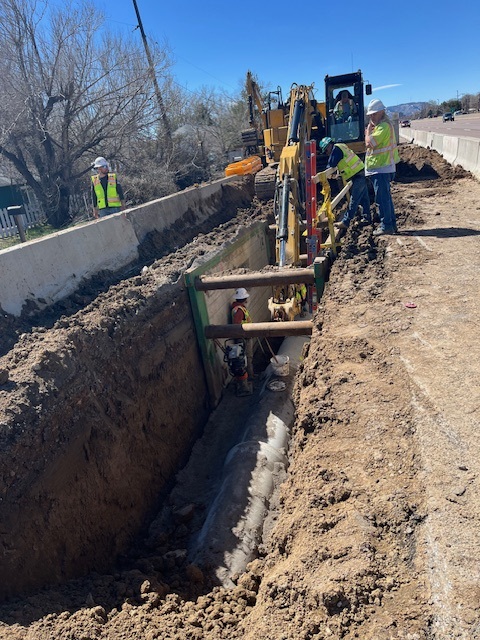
<point x="255" y="279"/>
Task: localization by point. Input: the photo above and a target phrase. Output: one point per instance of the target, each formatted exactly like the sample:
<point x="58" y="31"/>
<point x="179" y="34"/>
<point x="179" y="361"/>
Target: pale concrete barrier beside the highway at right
<point x="457" y="151"/>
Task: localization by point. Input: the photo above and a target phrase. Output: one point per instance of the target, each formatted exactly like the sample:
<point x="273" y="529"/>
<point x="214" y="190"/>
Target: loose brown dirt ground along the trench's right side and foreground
<point x="377" y="528"/>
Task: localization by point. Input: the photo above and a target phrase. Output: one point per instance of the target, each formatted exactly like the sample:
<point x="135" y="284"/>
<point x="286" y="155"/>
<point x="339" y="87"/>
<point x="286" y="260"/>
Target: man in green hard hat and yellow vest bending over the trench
<point x="350" y="167"/>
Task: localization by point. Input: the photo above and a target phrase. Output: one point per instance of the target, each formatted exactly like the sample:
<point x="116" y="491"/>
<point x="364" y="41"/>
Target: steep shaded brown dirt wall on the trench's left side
<point x="99" y="414"/>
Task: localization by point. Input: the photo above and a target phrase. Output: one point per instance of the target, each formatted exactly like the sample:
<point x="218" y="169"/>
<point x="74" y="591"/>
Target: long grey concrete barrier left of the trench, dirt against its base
<point x="51" y="268"/>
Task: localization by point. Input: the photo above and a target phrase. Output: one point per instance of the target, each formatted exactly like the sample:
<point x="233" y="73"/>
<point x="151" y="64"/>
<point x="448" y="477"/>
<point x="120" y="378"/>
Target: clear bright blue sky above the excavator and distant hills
<point x="409" y="51"/>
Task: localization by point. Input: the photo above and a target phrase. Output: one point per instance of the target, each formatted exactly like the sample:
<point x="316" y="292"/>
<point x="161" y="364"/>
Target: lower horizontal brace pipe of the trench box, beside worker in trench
<point x="260" y="329"/>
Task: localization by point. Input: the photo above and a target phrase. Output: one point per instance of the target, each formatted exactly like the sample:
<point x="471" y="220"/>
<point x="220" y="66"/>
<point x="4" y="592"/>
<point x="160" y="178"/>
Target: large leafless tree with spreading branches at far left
<point x="70" y="91"/>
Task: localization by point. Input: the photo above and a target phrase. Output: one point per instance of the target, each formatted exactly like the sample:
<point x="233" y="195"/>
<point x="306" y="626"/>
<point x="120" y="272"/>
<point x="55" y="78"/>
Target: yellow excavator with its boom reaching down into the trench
<point x="285" y="138"/>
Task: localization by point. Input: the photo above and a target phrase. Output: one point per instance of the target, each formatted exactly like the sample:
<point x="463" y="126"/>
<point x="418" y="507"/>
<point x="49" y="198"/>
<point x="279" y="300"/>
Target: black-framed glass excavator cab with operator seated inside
<point x="345" y="120"/>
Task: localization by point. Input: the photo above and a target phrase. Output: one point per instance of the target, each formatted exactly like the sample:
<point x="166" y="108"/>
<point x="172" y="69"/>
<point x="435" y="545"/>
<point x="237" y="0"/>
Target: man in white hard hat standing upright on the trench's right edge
<point x="380" y="160"/>
